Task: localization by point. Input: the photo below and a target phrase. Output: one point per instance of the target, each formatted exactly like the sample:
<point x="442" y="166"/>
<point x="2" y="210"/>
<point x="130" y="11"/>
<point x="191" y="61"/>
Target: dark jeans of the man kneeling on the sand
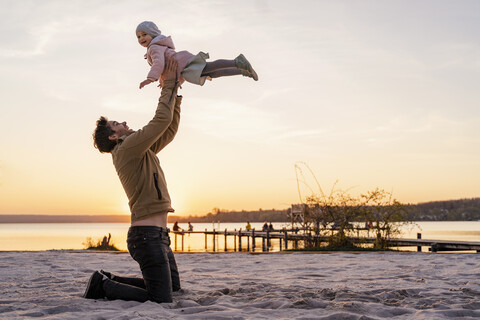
<point x="150" y="247"/>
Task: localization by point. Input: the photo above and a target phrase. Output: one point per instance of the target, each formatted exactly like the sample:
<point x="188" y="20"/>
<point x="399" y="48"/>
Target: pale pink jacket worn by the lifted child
<point x="159" y="52"/>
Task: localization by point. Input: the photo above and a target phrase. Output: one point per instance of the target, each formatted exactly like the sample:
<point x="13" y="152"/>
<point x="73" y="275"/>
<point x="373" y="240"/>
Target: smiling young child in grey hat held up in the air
<point x="192" y="68"/>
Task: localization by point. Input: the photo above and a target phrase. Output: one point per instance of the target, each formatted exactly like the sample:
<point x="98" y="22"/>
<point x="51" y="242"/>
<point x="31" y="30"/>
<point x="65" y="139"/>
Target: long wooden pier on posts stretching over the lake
<point x="290" y="239"/>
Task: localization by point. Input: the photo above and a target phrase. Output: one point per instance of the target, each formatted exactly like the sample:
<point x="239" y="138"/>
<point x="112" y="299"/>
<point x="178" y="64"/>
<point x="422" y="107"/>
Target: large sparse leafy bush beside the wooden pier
<point x="340" y="217"/>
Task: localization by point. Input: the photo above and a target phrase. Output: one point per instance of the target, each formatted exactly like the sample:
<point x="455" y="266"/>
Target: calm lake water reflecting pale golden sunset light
<point x="48" y="236"/>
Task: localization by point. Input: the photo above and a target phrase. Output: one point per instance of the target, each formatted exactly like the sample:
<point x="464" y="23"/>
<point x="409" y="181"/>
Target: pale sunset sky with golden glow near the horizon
<point x="370" y="93"/>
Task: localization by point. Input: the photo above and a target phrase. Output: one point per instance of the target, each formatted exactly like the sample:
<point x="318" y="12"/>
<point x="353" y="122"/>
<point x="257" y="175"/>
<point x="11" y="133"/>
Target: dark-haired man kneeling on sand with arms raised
<point x="134" y="158"/>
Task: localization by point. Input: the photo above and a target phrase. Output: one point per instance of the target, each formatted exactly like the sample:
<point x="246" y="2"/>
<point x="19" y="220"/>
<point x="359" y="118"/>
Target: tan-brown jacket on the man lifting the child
<point x="136" y="162"/>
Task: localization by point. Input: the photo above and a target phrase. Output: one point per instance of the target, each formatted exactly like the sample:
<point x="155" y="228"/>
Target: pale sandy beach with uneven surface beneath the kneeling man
<point x="50" y="285"/>
